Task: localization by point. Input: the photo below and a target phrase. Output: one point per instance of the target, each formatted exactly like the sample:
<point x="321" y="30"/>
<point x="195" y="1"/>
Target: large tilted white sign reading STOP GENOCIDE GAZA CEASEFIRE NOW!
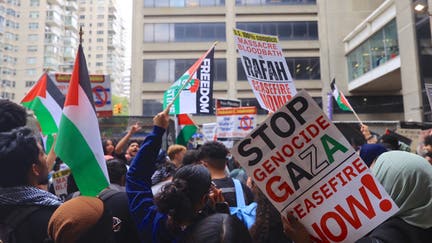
<point x="304" y="165"/>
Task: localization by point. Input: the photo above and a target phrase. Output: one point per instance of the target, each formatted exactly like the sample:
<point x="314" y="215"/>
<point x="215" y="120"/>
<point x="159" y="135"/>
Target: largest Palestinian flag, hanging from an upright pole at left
<point x="79" y="142"/>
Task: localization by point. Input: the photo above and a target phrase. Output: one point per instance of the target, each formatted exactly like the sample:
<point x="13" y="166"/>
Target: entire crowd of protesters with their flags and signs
<point x="293" y="178"/>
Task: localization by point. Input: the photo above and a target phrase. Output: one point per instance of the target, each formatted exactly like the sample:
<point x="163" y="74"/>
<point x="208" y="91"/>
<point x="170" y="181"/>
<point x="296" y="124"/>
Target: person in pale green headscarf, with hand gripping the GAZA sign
<point x="408" y="179"/>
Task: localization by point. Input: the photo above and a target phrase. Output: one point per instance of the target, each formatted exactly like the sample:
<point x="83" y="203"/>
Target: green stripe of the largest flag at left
<point x="80" y="158"/>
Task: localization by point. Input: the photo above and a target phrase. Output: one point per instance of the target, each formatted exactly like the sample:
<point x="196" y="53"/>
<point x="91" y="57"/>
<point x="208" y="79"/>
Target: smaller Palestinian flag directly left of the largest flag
<point x="46" y="101"/>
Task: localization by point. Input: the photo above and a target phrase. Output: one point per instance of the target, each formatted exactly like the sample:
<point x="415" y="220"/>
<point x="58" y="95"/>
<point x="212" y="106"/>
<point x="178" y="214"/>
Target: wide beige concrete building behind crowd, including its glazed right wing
<point x="376" y="50"/>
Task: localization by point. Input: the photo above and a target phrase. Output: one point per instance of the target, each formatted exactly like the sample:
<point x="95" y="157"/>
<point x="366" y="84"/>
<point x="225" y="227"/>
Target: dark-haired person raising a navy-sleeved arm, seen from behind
<point x="172" y="213"/>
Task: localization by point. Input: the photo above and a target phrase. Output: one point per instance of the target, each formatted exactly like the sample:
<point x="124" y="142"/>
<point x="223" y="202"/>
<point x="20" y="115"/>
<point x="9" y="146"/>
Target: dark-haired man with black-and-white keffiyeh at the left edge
<point x="24" y="209"/>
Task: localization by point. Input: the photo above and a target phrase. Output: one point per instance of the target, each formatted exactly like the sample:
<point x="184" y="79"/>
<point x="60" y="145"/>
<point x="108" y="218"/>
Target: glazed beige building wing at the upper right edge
<point x="386" y="57"/>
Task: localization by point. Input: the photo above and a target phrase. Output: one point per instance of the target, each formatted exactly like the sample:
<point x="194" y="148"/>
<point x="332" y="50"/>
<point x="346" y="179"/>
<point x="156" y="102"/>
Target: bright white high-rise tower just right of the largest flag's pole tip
<point x="103" y="39"/>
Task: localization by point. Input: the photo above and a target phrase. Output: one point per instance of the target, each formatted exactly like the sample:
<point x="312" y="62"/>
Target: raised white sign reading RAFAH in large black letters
<point x="266" y="68"/>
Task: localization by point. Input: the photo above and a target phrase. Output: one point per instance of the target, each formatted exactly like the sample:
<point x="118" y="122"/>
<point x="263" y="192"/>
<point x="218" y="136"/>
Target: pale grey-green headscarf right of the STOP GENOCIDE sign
<point x="407" y="178"/>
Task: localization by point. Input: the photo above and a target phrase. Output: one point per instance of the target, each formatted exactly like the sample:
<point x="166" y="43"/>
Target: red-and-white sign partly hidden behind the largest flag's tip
<point x="101" y="89"/>
